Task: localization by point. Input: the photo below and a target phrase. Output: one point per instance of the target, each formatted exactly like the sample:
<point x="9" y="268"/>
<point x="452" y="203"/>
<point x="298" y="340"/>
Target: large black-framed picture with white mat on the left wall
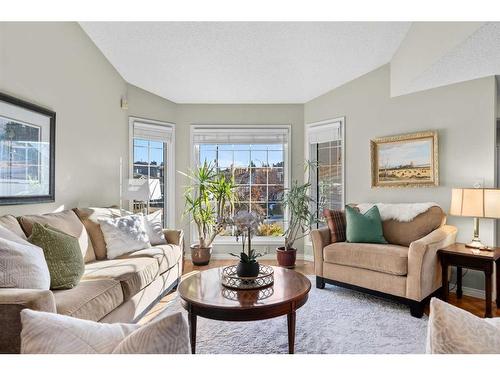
<point x="27" y="152"/>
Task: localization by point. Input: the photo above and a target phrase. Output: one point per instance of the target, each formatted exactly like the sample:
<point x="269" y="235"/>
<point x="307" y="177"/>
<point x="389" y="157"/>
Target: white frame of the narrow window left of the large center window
<point x="169" y="185"/>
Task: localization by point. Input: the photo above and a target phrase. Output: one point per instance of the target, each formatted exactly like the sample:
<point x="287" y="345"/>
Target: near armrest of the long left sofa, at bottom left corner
<point x="12" y="301"/>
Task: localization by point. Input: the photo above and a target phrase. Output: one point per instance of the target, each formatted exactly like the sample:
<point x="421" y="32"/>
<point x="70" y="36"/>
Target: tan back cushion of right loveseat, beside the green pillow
<point x="404" y="233"/>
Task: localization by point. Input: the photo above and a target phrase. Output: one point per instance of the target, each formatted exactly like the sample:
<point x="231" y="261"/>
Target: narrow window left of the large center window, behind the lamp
<point x="152" y="158"/>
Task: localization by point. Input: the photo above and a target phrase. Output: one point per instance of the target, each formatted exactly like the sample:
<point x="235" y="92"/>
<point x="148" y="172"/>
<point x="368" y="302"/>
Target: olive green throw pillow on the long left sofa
<point x="62" y="254"/>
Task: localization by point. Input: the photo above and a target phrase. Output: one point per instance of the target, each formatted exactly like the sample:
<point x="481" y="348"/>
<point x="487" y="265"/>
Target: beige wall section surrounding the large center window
<point x="235" y="114"/>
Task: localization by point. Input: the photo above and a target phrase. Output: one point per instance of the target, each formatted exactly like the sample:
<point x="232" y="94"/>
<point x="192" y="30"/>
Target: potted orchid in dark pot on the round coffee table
<point x="246" y="224"/>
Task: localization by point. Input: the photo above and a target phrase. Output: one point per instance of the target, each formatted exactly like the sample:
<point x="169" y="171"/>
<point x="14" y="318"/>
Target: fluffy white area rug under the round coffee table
<point x="333" y="320"/>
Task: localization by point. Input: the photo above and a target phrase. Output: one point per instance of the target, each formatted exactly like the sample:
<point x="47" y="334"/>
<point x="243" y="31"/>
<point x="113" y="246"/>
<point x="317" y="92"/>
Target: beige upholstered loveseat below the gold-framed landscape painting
<point x="406" y="269"/>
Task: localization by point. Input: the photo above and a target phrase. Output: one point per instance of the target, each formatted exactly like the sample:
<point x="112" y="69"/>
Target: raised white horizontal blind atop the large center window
<point x="225" y="135"/>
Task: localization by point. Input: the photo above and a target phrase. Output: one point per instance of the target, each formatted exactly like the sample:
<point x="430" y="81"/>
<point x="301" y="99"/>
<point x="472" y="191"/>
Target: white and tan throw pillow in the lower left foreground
<point x="48" y="333"/>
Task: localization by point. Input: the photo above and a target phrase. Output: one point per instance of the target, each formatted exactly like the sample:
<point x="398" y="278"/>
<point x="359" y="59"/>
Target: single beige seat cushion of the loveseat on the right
<point x="391" y="259"/>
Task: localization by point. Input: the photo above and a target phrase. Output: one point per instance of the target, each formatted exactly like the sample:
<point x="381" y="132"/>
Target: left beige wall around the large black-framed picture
<point x="57" y="66"/>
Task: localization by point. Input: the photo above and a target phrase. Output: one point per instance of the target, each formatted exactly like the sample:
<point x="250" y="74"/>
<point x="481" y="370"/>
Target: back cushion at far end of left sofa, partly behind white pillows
<point x="90" y="218"/>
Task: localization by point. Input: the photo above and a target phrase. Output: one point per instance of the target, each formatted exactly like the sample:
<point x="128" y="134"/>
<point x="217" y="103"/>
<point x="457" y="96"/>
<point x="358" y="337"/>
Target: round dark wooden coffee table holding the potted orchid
<point x="202" y="294"/>
